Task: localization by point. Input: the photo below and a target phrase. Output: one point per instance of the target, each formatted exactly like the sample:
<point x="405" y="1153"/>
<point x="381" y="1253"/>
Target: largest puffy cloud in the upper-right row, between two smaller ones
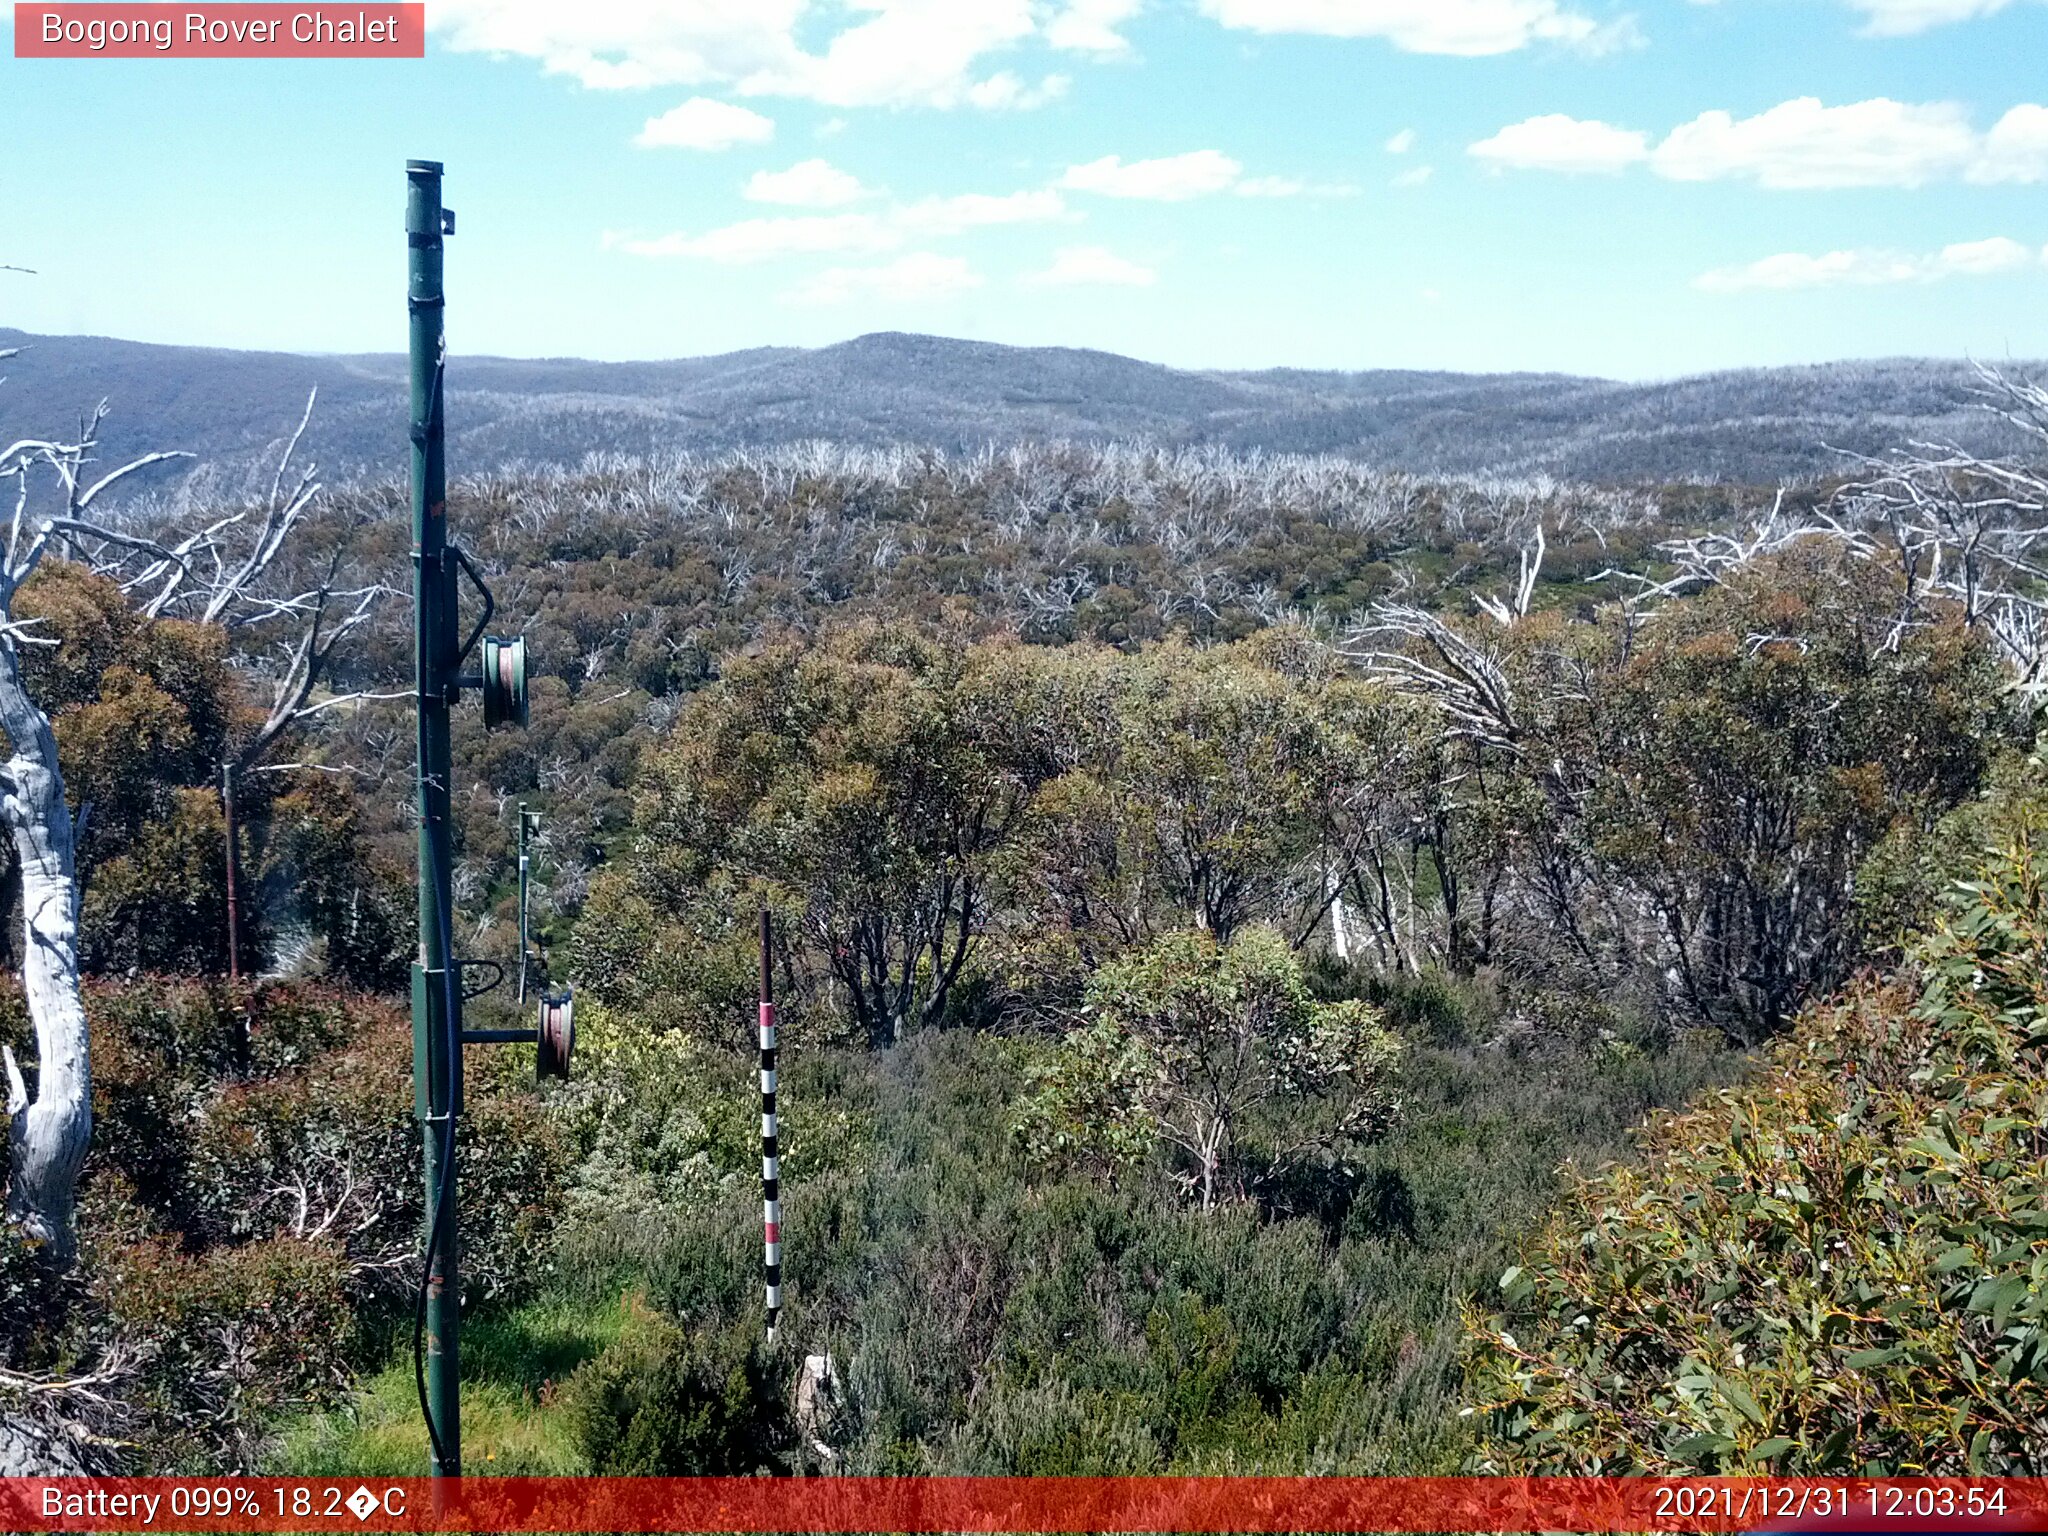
<point x="1803" y="144"/>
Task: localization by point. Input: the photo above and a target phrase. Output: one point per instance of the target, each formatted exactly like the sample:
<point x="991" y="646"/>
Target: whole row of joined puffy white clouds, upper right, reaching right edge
<point x="1795" y="146"/>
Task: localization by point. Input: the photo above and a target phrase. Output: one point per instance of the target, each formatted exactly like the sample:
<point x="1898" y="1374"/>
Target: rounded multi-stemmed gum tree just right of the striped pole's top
<point x="865" y="787"/>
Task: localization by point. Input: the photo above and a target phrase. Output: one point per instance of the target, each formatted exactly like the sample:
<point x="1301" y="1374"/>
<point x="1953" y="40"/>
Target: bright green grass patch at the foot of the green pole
<point x="513" y="1363"/>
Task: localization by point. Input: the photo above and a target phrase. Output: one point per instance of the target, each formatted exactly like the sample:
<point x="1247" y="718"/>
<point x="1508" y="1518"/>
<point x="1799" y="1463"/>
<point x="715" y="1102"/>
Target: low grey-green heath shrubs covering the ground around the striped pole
<point x="994" y="1314"/>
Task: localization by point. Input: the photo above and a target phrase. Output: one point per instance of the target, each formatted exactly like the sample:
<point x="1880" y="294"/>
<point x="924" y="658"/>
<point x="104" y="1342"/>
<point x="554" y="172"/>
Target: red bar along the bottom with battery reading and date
<point x="1025" y="1504"/>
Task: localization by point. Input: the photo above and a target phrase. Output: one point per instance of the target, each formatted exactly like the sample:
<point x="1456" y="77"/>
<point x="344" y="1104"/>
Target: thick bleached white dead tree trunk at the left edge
<point x="48" y="1134"/>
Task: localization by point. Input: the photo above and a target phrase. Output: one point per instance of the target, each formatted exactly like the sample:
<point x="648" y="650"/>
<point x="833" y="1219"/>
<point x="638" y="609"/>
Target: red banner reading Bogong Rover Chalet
<point x="361" y="30"/>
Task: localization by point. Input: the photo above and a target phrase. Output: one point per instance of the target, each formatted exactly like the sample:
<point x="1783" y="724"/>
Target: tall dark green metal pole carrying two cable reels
<point x="437" y="1058"/>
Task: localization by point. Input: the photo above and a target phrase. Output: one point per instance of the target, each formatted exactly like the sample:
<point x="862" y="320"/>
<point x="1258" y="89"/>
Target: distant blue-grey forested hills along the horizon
<point x="1754" y="427"/>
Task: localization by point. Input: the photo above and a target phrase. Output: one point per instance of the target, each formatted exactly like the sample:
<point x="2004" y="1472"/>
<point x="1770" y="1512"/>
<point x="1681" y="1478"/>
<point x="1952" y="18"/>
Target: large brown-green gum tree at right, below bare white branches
<point x="1711" y="787"/>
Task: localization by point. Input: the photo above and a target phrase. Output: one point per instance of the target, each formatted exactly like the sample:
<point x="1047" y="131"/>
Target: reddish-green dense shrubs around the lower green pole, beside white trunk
<point x="251" y="1209"/>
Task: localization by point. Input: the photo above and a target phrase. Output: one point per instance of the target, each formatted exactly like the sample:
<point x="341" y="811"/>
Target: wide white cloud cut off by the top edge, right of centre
<point x="1465" y="28"/>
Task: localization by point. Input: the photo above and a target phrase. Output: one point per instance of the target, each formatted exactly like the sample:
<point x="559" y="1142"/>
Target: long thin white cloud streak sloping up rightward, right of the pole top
<point x="837" y="234"/>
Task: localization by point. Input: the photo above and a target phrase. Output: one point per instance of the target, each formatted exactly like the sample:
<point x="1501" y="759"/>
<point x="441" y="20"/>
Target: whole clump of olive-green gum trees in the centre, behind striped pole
<point x="955" y="835"/>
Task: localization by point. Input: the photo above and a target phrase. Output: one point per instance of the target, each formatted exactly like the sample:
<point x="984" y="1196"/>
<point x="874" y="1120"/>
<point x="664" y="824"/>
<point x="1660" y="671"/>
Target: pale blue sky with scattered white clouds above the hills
<point x="1592" y="187"/>
